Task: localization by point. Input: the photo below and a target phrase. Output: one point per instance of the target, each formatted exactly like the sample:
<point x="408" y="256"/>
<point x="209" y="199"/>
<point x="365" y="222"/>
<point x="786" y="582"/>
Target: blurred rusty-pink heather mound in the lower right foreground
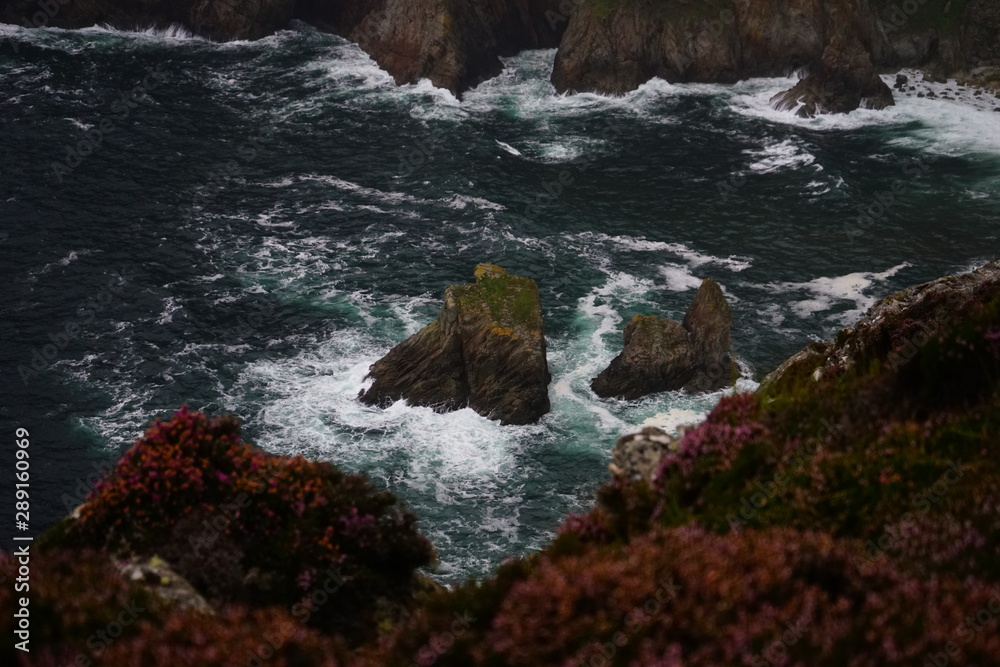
<point x="687" y="596"/>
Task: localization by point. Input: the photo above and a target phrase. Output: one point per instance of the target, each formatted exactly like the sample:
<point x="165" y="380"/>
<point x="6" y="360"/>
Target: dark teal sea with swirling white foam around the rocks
<point x="246" y="227"/>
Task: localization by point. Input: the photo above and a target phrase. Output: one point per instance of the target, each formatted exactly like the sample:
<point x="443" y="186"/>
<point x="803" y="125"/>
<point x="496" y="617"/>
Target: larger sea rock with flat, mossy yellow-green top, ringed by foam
<point x="486" y="351"/>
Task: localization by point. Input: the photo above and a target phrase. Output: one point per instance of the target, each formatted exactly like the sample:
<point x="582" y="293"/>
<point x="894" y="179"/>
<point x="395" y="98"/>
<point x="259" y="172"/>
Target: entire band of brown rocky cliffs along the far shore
<point x="606" y="46"/>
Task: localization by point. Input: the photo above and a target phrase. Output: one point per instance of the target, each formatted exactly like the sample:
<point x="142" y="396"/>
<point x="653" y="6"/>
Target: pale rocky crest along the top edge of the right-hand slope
<point x="892" y="329"/>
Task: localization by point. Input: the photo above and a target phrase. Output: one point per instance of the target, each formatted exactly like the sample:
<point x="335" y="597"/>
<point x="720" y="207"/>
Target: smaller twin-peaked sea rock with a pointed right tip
<point x="663" y="355"/>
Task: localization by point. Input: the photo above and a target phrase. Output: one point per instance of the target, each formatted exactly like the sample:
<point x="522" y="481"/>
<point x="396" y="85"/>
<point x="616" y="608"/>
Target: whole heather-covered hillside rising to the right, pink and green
<point x="844" y="514"/>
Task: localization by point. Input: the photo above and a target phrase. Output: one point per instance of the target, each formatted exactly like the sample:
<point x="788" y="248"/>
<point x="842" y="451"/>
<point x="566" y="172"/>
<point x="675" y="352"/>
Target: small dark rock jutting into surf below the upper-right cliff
<point x="846" y="81"/>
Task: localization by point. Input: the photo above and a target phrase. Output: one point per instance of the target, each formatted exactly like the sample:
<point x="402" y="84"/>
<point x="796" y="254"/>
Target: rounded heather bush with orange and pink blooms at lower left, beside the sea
<point x="245" y="526"/>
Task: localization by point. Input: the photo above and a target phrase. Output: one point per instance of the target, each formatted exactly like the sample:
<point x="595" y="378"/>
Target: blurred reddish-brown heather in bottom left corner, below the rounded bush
<point x="85" y="611"/>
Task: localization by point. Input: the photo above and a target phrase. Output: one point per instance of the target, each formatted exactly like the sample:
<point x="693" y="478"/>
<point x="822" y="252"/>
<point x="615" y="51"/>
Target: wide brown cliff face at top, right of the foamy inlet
<point x="615" y="46"/>
